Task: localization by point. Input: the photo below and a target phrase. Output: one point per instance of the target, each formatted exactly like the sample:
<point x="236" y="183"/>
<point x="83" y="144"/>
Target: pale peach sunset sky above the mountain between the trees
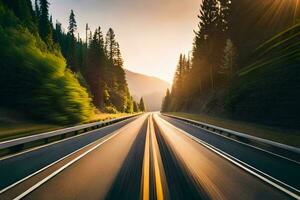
<point x="151" y="33"/>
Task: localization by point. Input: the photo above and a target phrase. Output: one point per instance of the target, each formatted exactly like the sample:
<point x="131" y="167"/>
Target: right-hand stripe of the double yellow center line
<point x="158" y="180"/>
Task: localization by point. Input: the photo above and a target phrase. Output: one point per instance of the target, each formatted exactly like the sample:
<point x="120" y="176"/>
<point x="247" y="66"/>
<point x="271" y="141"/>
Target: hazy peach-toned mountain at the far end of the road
<point x="152" y="89"/>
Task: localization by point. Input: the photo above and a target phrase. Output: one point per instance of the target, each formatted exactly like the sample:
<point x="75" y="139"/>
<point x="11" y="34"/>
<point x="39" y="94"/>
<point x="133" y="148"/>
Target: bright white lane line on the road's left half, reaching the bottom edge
<point x="64" y="167"/>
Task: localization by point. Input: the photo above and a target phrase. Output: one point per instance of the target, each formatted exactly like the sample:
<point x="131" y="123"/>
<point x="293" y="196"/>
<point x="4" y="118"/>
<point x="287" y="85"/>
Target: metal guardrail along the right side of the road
<point x="274" y="147"/>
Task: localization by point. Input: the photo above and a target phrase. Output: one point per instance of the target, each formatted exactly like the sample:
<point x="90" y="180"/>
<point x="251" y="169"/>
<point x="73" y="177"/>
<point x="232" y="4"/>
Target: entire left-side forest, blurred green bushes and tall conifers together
<point x="56" y="72"/>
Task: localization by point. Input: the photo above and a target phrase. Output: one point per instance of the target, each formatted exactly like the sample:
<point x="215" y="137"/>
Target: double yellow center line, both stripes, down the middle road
<point x="152" y="151"/>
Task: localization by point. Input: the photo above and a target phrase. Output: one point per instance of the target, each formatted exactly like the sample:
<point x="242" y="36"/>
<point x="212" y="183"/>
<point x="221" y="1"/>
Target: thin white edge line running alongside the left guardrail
<point x="63" y="140"/>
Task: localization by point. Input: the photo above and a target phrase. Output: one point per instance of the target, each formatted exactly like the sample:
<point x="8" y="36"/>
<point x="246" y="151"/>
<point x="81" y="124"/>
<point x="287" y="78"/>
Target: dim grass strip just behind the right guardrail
<point x="284" y="136"/>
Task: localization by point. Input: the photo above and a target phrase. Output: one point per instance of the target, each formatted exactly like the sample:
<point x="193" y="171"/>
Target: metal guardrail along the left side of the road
<point x="19" y="144"/>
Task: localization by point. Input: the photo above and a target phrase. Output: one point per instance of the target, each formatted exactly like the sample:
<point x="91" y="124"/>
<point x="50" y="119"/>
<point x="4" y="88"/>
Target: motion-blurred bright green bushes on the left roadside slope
<point x="35" y="80"/>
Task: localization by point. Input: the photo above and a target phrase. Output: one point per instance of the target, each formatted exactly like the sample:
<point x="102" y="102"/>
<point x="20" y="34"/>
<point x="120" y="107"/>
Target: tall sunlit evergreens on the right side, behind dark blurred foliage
<point x="229" y="32"/>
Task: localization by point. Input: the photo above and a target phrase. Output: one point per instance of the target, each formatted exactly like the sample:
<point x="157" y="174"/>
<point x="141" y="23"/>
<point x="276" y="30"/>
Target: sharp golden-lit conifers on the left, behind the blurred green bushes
<point x="101" y="64"/>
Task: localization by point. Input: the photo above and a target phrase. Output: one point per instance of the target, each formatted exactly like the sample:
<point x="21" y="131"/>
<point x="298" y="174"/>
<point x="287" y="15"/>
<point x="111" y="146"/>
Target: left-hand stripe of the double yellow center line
<point x="146" y="166"/>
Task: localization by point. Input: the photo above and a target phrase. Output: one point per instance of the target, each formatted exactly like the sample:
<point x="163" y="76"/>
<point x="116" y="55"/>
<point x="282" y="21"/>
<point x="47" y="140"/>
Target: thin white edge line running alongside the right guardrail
<point x="229" y="138"/>
